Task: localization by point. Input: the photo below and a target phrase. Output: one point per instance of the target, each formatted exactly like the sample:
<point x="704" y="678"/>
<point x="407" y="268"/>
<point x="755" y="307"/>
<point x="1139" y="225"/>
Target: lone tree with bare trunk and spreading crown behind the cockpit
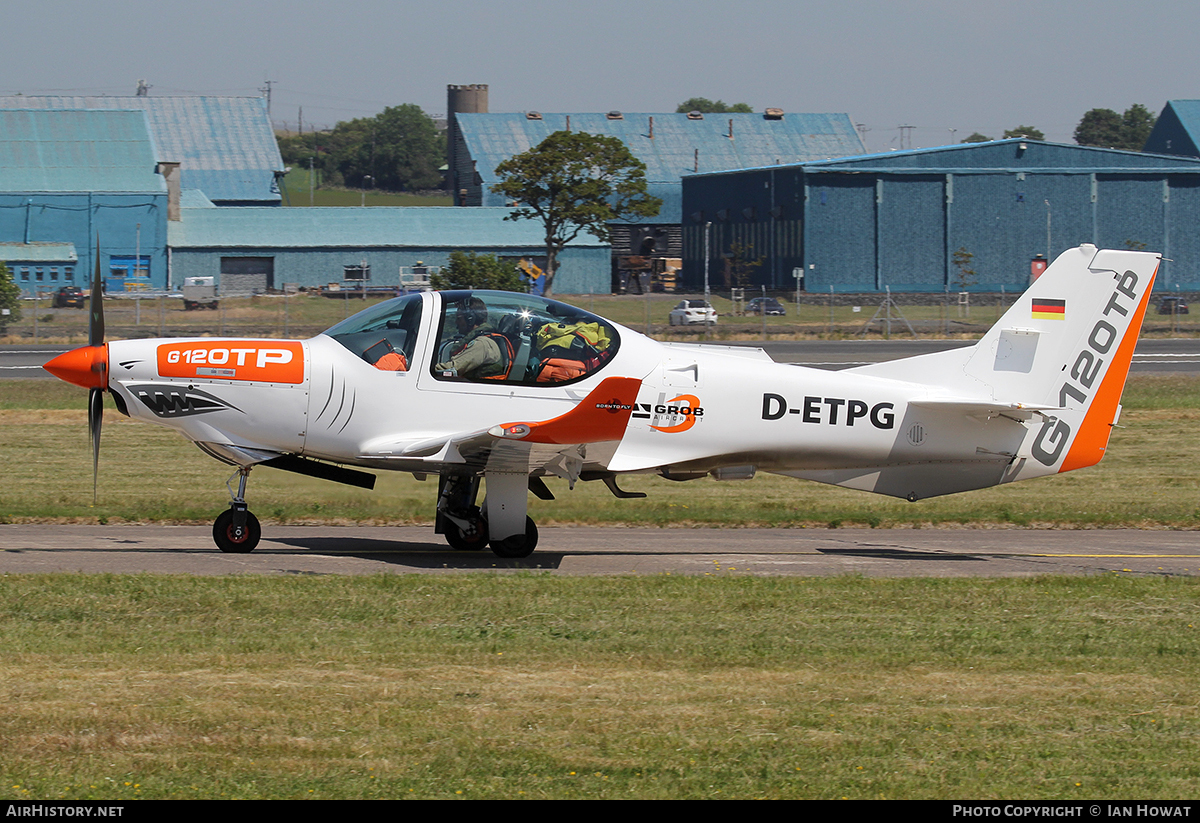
<point x="574" y="183"/>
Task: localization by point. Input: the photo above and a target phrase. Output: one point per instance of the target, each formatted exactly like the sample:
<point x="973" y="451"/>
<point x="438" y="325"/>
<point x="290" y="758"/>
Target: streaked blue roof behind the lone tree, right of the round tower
<point x="679" y="146"/>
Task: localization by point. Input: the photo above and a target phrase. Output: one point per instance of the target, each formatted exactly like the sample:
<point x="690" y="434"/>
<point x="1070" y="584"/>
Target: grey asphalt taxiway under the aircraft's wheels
<point x="581" y="551"/>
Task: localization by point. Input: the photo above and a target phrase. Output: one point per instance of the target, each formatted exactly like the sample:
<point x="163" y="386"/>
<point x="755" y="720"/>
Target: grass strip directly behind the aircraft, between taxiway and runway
<point x="1150" y="478"/>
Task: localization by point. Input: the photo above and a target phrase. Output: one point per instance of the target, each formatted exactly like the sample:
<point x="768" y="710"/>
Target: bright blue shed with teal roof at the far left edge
<point x="70" y="177"/>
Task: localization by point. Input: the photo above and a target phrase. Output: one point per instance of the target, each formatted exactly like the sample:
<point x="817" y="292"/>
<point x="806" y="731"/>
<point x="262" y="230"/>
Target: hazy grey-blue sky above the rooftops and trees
<point x="944" y="69"/>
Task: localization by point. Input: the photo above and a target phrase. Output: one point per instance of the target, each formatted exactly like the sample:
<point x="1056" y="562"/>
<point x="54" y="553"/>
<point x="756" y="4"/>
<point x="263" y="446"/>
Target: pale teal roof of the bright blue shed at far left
<point x="77" y="152"/>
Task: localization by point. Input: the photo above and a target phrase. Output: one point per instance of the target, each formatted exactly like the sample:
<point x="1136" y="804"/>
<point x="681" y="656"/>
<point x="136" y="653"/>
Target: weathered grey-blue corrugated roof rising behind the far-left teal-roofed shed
<point x="226" y="146"/>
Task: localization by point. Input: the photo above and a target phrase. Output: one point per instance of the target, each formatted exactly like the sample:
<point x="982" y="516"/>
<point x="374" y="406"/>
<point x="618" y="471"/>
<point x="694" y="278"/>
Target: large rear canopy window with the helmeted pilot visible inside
<point x="506" y="338"/>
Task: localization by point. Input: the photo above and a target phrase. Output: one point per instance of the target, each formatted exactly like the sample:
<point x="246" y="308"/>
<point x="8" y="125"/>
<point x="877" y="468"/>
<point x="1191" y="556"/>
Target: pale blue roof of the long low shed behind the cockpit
<point x="374" y="227"/>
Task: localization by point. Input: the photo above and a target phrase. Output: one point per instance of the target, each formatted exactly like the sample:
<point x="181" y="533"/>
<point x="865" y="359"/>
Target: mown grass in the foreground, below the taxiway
<point x="532" y="687"/>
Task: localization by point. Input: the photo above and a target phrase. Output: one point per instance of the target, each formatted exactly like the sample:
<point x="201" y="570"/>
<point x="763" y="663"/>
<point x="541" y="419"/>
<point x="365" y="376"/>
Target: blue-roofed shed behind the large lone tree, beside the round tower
<point x="671" y="146"/>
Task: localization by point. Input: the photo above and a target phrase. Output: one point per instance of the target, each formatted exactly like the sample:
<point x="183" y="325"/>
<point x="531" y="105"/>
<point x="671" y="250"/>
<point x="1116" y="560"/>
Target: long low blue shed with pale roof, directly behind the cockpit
<point x="266" y="249"/>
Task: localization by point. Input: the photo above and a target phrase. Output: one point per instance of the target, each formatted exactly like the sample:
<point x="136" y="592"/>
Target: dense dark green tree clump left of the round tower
<point x="400" y="149"/>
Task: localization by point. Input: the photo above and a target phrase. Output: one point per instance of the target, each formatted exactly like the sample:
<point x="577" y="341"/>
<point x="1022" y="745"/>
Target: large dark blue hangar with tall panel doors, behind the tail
<point x="897" y="220"/>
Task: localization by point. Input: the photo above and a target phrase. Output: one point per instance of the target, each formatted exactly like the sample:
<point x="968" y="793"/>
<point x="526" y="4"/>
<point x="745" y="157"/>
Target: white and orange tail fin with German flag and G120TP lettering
<point x="1064" y="349"/>
